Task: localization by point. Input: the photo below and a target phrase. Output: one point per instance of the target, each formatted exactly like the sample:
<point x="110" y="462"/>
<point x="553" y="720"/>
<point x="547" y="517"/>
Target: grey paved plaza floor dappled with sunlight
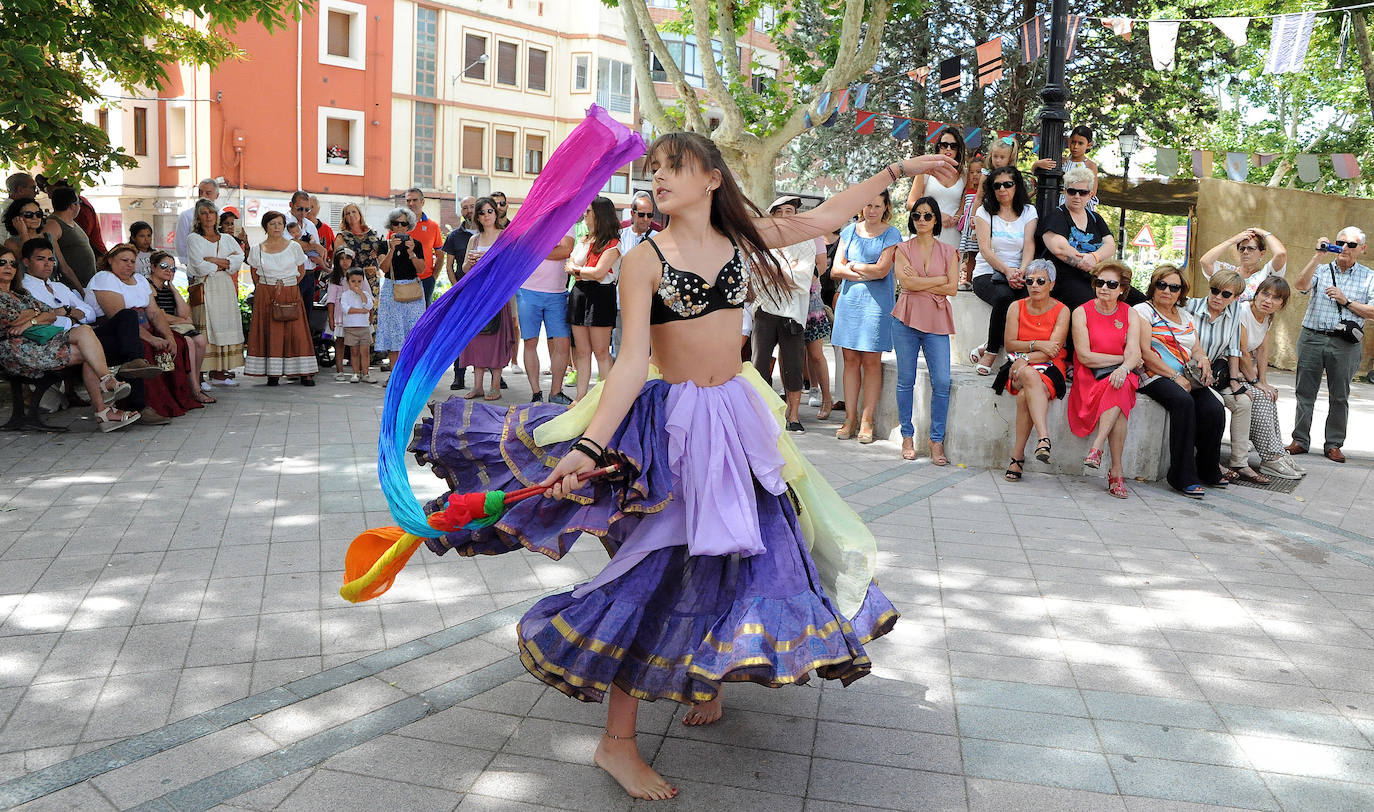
<point x="172" y="638"/>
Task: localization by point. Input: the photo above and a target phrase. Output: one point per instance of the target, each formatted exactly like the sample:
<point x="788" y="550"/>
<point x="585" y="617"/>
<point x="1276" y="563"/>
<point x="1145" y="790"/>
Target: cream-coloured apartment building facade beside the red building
<point x="486" y="90"/>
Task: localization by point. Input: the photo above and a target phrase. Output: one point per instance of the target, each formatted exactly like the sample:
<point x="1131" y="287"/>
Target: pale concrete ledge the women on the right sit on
<point x="979" y="431"/>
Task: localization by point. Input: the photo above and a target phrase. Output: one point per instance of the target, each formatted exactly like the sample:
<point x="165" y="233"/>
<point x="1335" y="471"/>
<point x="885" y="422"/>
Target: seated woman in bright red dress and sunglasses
<point x="1107" y="336"/>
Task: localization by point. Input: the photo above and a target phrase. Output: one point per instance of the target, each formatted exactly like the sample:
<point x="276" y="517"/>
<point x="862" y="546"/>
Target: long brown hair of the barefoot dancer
<point x="732" y="212"/>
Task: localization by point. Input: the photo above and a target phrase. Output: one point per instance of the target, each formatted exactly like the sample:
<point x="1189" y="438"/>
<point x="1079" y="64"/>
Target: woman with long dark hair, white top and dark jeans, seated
<point x="1006" y="243"/>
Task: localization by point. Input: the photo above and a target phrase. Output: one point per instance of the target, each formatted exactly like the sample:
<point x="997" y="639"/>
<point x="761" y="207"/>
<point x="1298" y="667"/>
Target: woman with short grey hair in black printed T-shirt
<point x="1077" y="238"/>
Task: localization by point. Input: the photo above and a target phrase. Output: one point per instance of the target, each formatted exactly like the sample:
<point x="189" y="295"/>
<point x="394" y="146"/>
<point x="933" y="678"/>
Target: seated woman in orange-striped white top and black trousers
<point x="1178" y="377"/>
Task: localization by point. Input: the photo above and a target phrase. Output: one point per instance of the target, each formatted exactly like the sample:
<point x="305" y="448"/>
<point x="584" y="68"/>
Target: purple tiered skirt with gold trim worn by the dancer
<point x="710" y="578"/>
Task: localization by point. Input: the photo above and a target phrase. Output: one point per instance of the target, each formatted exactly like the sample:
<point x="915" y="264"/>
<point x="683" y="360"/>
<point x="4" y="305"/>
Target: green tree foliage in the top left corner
<point x="57" y="54"/>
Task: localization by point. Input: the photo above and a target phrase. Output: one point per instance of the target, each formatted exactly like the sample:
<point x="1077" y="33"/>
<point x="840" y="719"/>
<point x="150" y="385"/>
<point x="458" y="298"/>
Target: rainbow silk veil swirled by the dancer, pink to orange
<point x="574" y="175"/>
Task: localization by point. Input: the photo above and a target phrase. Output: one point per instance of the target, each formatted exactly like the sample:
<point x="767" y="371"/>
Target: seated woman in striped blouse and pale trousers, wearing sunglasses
<point x="1219" y="339"/>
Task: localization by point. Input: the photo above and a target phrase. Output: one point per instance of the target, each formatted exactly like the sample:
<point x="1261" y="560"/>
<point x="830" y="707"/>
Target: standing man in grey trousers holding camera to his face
<point x="1342" y="291"/>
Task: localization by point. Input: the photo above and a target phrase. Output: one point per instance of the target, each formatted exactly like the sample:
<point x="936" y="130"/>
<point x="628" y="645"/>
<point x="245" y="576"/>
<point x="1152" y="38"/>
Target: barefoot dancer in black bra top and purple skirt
<point x="711" y="578"/>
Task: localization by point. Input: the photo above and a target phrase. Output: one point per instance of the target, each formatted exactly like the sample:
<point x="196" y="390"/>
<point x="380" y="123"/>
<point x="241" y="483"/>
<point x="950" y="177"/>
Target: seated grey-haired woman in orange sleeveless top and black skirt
<point x="1038" y="329"/>
